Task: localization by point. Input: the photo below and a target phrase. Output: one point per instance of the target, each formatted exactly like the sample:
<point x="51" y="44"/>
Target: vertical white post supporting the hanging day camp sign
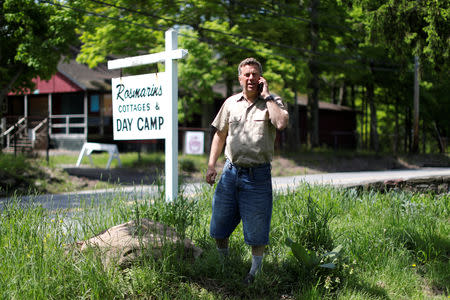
<point x="171" y="147"/>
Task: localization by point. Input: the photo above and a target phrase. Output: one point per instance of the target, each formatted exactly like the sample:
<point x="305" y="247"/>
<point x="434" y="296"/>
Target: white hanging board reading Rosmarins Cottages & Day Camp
<point x="141" y="107"/>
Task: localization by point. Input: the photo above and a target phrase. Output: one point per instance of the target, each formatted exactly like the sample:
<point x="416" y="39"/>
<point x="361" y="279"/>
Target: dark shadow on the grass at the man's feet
<point x="222" y="278"/>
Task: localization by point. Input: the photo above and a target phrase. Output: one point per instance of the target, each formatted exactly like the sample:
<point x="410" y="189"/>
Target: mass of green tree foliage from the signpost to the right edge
<point x="360" y="44"/>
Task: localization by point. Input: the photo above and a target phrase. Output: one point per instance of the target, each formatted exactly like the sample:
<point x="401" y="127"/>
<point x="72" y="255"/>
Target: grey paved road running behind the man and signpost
<point x="75" y="200"/>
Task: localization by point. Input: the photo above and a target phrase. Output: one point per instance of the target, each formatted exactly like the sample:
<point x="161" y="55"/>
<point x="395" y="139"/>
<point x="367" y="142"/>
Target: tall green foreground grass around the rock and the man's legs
<point x="396" y="245"/>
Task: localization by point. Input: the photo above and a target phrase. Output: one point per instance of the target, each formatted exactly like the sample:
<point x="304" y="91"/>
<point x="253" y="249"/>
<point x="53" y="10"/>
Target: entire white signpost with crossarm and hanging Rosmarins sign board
<point x="146" y="106"/>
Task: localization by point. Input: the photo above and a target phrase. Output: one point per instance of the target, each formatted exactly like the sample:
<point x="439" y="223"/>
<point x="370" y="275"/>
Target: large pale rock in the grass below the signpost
<point x="122" y="244"/>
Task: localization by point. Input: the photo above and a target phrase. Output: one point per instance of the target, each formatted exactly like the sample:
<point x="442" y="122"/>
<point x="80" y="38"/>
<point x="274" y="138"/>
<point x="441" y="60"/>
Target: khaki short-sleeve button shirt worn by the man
<point x="250" y="133"/>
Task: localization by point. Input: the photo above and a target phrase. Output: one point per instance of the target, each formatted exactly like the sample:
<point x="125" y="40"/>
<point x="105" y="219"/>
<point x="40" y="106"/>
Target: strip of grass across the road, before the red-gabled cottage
<point x="24" y="175"/>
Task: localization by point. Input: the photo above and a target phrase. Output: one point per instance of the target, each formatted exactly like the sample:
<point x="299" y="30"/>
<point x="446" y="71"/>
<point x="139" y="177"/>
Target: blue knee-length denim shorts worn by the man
<point x="243" y="194"/>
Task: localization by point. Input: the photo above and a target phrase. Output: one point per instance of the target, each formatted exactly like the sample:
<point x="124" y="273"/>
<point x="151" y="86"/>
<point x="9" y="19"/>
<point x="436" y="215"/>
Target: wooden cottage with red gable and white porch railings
<point x="74" y="105"/>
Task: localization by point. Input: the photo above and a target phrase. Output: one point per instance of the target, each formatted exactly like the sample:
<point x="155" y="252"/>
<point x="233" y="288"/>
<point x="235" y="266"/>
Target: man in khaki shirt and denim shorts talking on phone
<point x="246" y="125"/>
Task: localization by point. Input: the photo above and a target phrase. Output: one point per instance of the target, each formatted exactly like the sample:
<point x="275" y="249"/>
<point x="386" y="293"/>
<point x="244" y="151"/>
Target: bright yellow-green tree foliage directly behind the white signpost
<point x="117" y="29"/>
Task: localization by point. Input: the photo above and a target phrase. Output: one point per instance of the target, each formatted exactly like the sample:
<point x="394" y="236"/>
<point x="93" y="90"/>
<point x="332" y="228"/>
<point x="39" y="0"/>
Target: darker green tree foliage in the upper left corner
<point x="33" y="36"/>
